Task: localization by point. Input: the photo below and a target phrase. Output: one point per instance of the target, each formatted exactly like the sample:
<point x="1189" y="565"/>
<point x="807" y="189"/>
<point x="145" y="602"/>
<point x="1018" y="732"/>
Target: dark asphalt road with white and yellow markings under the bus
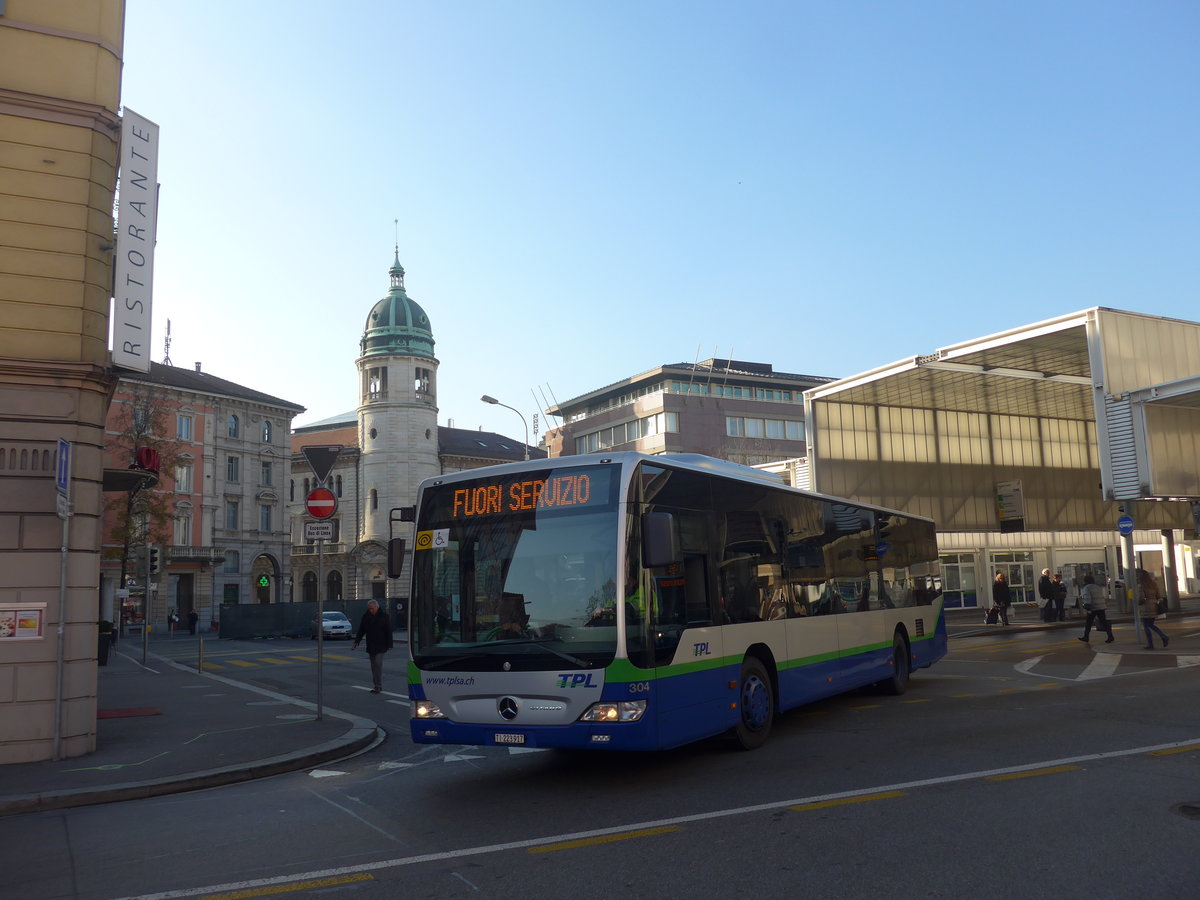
<point x="1015" y="769"/>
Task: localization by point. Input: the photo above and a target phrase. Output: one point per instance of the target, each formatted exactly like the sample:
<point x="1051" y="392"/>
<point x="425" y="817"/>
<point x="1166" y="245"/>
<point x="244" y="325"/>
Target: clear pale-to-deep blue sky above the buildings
<point x="589" y="190"/>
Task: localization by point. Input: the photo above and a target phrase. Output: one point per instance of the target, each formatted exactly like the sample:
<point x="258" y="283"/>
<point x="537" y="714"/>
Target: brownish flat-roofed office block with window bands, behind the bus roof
<point x="739" y="411"/>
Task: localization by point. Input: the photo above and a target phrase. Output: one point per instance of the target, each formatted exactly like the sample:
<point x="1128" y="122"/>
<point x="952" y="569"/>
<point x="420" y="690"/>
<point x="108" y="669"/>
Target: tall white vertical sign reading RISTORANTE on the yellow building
<point x="137" y="215"/>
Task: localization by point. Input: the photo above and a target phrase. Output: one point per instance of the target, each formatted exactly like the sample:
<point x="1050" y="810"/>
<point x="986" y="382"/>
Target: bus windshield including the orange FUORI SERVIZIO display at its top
<point x="518" y="573"/>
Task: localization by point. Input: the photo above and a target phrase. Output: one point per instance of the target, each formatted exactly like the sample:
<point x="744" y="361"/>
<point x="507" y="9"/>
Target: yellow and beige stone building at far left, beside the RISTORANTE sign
<point x="61" y="80"/>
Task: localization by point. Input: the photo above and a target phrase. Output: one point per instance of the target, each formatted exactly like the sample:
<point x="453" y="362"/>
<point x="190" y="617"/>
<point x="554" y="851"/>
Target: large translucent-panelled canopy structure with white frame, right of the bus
<point x="1040" y="447"/>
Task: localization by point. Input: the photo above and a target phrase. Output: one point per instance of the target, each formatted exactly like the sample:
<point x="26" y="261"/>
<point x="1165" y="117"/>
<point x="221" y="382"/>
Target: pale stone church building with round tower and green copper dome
<point x="391" y="442"/>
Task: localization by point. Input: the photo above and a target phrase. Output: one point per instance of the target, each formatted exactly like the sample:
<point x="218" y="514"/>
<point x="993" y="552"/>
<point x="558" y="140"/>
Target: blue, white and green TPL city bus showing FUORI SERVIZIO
<point x="640" y="603"/>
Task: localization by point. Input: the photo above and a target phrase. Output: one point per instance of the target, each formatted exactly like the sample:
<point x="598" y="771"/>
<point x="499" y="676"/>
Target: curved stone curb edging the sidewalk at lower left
<point x="364" y="735"/>
